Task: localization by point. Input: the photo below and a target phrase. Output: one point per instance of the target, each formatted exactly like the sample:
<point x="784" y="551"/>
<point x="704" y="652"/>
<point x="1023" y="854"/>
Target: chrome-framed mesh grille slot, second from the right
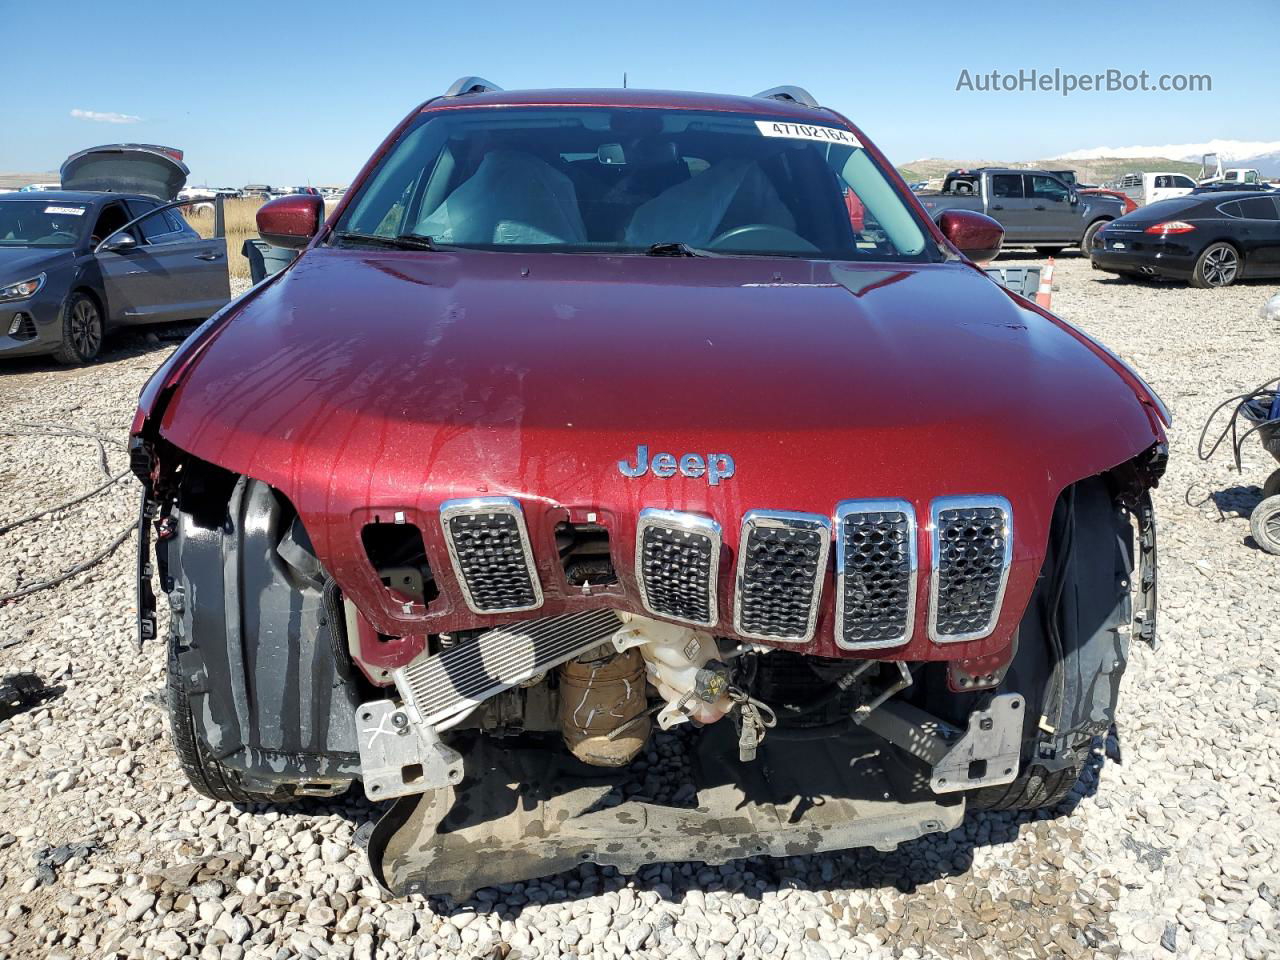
<point x="876" y="574"/>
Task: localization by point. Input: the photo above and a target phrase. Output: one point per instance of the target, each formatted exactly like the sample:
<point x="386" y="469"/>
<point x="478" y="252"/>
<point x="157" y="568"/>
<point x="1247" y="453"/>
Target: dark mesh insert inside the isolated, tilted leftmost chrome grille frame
<point x="491" y="559"/>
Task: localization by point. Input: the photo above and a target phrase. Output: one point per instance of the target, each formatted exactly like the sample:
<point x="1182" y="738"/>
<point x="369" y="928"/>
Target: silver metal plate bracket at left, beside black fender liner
<point x="399" y="757"/>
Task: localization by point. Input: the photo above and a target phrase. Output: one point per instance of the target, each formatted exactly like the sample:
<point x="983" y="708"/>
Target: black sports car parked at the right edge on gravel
<point x="1212" y="240"/>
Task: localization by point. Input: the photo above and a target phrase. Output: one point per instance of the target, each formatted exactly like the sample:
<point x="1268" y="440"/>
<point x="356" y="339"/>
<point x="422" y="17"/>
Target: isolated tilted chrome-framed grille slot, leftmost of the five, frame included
<point x="491" y="555"/>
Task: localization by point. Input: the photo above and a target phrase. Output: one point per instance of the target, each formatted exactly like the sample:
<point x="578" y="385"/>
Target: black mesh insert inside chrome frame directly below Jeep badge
<point x="676" y="568"/>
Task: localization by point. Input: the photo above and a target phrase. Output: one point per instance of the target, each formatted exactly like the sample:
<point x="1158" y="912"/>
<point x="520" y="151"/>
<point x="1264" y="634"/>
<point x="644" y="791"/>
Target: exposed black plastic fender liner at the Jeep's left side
<point x="255" y="647"/>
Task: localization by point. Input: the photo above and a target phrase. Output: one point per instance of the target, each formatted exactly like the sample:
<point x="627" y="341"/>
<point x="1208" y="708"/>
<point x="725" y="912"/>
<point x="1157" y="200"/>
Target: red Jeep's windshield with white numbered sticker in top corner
<point x="620" y="181"/>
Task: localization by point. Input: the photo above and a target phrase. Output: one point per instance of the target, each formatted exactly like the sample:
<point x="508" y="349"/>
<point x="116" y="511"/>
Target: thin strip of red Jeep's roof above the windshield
<point x="612" y="97"/>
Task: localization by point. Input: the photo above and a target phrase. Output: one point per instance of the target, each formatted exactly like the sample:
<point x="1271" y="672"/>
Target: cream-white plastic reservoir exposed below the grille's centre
<point x="674" y="656"/>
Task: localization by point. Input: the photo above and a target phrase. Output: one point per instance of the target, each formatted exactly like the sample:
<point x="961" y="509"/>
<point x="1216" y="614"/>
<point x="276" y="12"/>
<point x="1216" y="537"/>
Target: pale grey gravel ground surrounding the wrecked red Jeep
<point x="1168" y="848"/>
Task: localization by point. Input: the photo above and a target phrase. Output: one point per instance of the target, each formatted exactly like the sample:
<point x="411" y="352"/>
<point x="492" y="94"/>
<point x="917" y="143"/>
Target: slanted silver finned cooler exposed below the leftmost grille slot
<point x="445" y="684"/>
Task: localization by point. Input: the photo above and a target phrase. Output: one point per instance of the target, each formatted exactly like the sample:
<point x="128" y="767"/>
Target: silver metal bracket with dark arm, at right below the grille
<point x="986" y="755"/>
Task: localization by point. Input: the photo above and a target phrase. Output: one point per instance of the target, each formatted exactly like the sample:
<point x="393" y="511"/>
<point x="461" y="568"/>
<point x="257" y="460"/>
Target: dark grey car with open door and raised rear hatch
<point x="103" y="252"/>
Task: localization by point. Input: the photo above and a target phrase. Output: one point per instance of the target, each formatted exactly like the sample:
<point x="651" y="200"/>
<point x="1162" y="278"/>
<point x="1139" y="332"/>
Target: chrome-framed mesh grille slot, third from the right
<point x="781" y="569"/>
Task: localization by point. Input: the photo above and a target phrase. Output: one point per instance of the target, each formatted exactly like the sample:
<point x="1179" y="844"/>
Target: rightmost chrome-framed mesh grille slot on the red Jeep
<point x="972" y="542"/>
